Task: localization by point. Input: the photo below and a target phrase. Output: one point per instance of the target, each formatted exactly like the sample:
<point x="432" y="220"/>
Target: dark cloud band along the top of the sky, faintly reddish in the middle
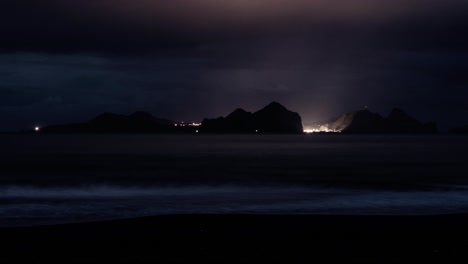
<point x="162" y="26"/>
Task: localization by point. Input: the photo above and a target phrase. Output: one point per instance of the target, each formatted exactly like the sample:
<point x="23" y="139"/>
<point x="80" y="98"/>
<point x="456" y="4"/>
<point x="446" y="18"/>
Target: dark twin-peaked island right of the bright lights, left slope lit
<point x="365" y="121"/>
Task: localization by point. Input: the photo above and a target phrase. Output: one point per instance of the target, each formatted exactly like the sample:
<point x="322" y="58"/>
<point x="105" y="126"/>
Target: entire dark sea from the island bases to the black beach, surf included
<point x="51" y="179"/>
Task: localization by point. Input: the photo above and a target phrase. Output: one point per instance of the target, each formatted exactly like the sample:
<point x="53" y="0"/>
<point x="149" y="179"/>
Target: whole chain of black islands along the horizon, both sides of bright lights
<point x="271" y="119"/>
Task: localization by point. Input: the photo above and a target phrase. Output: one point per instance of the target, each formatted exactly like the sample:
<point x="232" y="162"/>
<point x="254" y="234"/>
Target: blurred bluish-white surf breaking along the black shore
<point x="32" y="205"/>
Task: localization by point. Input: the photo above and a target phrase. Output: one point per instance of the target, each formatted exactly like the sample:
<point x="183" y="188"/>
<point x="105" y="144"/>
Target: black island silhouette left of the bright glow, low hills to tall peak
<point x="273" y="118"/>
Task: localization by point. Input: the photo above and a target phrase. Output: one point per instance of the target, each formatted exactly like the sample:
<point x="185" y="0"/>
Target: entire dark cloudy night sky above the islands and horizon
<point x="68" y="60"/>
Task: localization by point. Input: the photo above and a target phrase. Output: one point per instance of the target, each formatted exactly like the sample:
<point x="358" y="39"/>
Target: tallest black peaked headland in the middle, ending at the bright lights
<point x="274" y="118"/>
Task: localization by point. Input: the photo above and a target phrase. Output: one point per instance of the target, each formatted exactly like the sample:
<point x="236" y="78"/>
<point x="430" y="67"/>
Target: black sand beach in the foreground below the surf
<point x="244" y="238"/>
